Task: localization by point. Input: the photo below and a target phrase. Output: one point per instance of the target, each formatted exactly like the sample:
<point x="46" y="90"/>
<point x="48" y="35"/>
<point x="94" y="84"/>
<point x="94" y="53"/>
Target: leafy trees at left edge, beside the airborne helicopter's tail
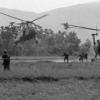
<point x="7" y="38"/>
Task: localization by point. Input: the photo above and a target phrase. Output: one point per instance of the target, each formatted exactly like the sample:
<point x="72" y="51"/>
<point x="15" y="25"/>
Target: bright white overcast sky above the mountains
<point x="40" y="5"/>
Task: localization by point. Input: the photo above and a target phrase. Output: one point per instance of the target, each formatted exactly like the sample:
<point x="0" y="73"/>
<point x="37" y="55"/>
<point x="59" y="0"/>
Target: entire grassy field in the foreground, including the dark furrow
<point x="45" y="80"/>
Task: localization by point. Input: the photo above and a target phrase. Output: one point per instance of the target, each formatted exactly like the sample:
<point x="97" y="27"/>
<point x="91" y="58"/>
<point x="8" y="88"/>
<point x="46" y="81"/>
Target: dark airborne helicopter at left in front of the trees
<point x="26" y="31"/>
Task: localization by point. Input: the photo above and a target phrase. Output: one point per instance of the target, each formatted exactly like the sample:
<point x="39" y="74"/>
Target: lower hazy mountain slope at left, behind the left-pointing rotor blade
<point x="4" y="20"/>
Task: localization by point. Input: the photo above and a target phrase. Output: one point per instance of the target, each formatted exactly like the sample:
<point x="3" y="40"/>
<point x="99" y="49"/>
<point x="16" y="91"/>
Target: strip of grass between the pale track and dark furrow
<point x="51" y="69"/>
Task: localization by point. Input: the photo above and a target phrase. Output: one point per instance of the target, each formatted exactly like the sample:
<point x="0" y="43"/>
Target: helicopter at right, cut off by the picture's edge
<point x="96" y="45"/>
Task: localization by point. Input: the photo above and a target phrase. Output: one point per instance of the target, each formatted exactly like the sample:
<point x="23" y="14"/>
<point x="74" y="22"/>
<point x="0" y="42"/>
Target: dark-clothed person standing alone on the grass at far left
<point x="6" y="60"/>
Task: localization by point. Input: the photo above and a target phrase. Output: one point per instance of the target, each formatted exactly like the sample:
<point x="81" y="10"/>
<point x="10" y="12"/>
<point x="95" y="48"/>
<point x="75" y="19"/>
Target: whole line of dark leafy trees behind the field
<point x="45" y="43"/>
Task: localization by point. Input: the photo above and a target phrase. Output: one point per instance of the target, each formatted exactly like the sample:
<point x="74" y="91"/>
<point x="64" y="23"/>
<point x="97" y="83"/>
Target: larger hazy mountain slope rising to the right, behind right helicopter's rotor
<point x="87" y="15"/>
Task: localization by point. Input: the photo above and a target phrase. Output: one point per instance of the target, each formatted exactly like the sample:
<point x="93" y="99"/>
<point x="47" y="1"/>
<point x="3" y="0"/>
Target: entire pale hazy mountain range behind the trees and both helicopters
<point x="87" y="15"/>
